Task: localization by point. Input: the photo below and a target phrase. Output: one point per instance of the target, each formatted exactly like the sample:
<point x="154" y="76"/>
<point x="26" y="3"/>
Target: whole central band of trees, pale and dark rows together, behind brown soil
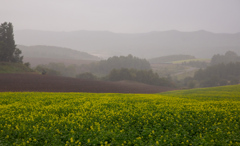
<point x="113" y="69"/>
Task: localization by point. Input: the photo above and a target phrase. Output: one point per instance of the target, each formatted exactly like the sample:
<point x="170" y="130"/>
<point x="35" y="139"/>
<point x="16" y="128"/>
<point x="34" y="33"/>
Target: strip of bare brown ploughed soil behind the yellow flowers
<point x="46" y="83"/>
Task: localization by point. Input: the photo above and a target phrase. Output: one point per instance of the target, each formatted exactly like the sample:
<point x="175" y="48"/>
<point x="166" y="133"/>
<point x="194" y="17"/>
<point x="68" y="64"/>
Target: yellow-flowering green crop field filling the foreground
<point x="207" y="116"/>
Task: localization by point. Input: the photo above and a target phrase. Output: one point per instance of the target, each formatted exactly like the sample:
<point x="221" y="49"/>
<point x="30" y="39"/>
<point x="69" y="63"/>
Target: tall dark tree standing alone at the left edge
<point x="8" y="50"/>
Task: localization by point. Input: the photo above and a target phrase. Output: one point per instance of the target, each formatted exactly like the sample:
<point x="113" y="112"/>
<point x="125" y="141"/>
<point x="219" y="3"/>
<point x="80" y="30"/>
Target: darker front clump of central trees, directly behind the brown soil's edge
<point x="142" y="76"/>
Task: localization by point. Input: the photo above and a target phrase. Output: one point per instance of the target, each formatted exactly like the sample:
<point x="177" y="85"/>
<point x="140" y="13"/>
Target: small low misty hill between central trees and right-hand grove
<point x="170" y="58"/>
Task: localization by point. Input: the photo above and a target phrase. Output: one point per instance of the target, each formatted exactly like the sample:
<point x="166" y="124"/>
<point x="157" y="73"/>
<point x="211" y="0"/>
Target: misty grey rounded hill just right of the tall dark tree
<point x="41" y="54"/>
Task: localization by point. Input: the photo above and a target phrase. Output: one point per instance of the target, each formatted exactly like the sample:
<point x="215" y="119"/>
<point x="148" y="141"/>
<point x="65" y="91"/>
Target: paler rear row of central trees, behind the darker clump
<point x="101" y="68"/>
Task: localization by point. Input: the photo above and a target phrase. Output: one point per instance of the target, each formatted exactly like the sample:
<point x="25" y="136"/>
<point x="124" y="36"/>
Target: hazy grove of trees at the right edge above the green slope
<point x="223" y="70"/>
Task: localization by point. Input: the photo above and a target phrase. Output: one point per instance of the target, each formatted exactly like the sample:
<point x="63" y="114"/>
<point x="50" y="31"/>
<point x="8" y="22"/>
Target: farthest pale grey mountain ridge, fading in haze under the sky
<point x="201" y="44"/>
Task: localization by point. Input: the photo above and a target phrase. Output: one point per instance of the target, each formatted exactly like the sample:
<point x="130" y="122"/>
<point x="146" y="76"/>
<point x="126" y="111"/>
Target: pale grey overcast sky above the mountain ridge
<point x="123" y="16"/>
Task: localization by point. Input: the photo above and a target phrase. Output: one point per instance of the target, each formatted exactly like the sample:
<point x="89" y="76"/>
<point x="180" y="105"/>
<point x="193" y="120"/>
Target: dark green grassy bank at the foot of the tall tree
<point x="7" y="67"/>
